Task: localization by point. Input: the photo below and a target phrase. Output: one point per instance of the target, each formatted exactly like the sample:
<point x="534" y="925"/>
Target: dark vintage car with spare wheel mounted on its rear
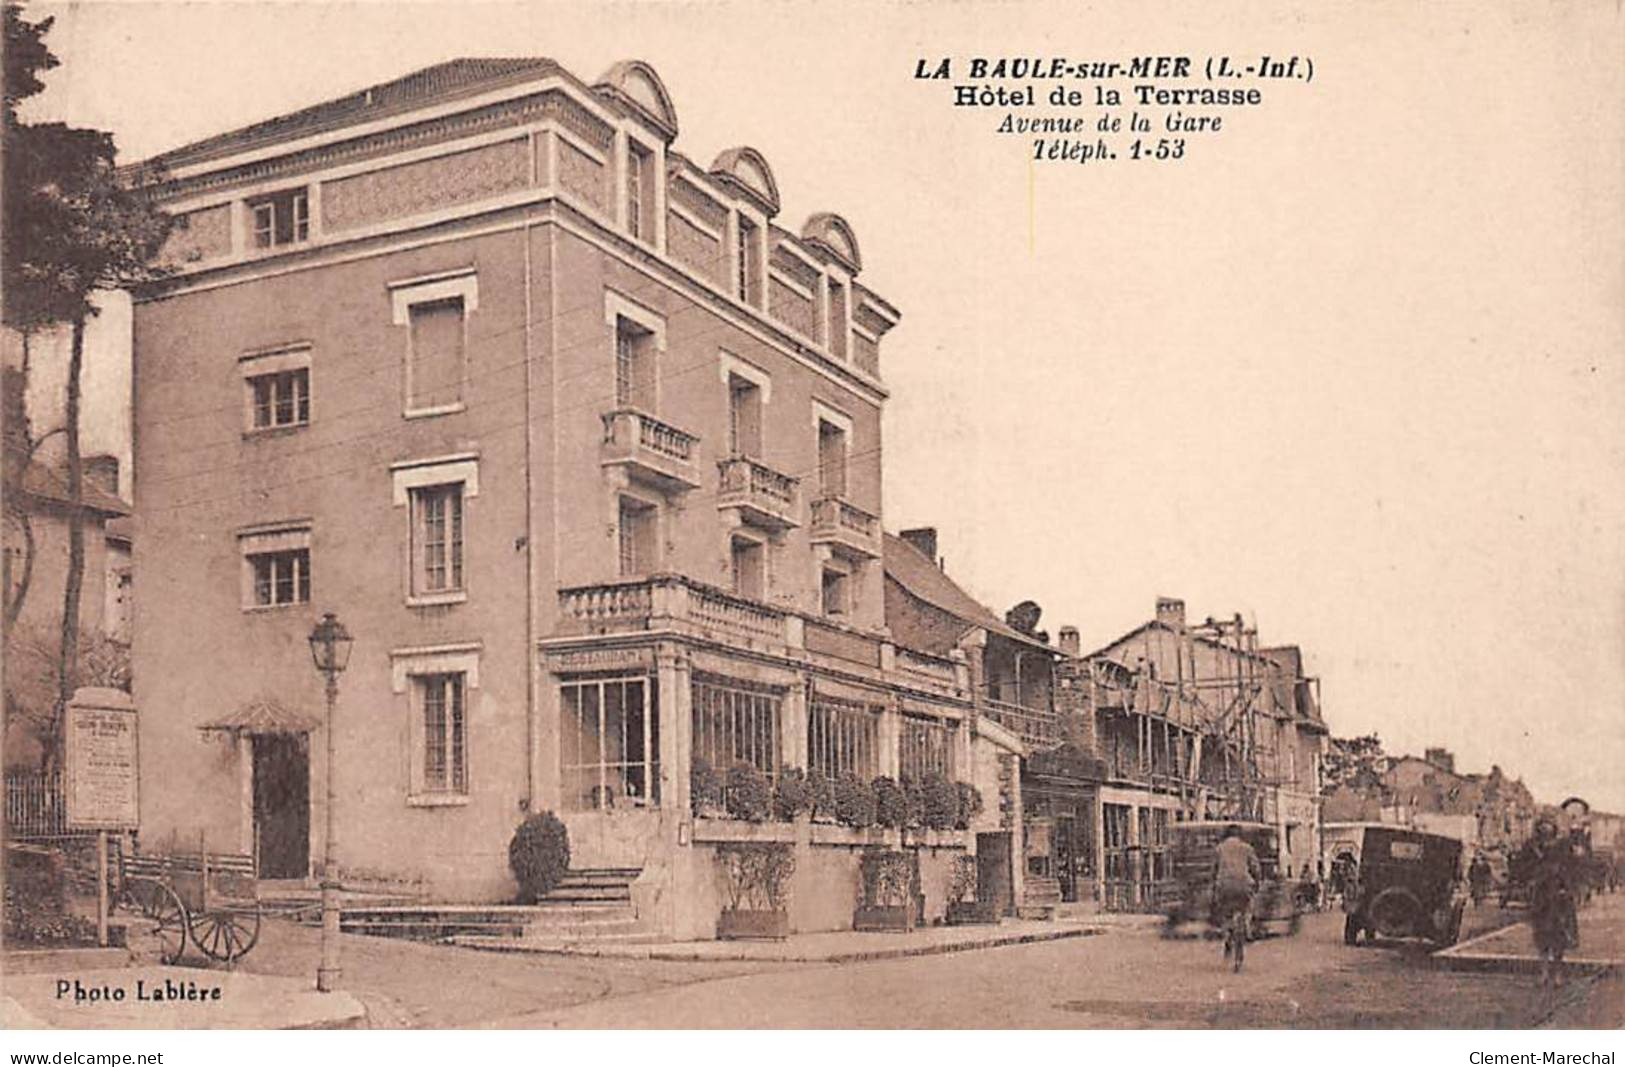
<point x="1410" y="886"/>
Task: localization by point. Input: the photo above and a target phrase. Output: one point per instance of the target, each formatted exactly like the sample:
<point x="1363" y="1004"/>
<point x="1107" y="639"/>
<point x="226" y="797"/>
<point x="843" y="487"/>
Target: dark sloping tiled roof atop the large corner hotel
<point x="454" y="79"/>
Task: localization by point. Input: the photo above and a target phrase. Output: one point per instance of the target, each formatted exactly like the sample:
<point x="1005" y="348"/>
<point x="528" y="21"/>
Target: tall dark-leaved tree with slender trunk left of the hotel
<point x="72" y="227"/>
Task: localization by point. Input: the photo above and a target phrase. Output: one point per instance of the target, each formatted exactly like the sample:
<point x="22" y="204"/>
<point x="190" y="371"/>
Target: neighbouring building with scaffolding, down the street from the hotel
<point x="1194" y="722"/>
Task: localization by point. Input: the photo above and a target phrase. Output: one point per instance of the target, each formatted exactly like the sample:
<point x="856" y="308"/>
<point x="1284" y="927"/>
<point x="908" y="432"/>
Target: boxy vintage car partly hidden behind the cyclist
<point x="1276" y="907"/>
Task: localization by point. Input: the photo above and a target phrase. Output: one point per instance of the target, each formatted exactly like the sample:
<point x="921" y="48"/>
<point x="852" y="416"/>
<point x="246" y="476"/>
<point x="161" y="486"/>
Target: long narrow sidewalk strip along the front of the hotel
<point x="833" y="948"/>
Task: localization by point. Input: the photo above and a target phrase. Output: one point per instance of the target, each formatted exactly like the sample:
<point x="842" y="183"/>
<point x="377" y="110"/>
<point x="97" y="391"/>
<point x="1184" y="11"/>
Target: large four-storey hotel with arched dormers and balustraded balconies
<point x="581" y="444"/>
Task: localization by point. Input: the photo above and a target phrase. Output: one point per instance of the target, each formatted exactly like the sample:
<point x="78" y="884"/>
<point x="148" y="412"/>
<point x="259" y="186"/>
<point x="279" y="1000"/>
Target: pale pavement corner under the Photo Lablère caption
<point x="173" y="998"/>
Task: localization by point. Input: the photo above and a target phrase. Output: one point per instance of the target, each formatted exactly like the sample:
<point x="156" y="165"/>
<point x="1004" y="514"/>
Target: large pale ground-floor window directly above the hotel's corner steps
<point x="610" y="743"/>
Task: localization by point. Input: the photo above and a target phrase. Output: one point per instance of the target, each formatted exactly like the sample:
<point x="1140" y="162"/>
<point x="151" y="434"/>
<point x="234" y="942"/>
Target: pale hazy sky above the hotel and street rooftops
<point x="1353" y="368"/>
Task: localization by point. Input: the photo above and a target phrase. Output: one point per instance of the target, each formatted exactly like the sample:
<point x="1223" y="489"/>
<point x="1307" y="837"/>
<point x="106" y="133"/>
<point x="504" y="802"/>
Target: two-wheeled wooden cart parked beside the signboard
<point x="209" y="899"/>
